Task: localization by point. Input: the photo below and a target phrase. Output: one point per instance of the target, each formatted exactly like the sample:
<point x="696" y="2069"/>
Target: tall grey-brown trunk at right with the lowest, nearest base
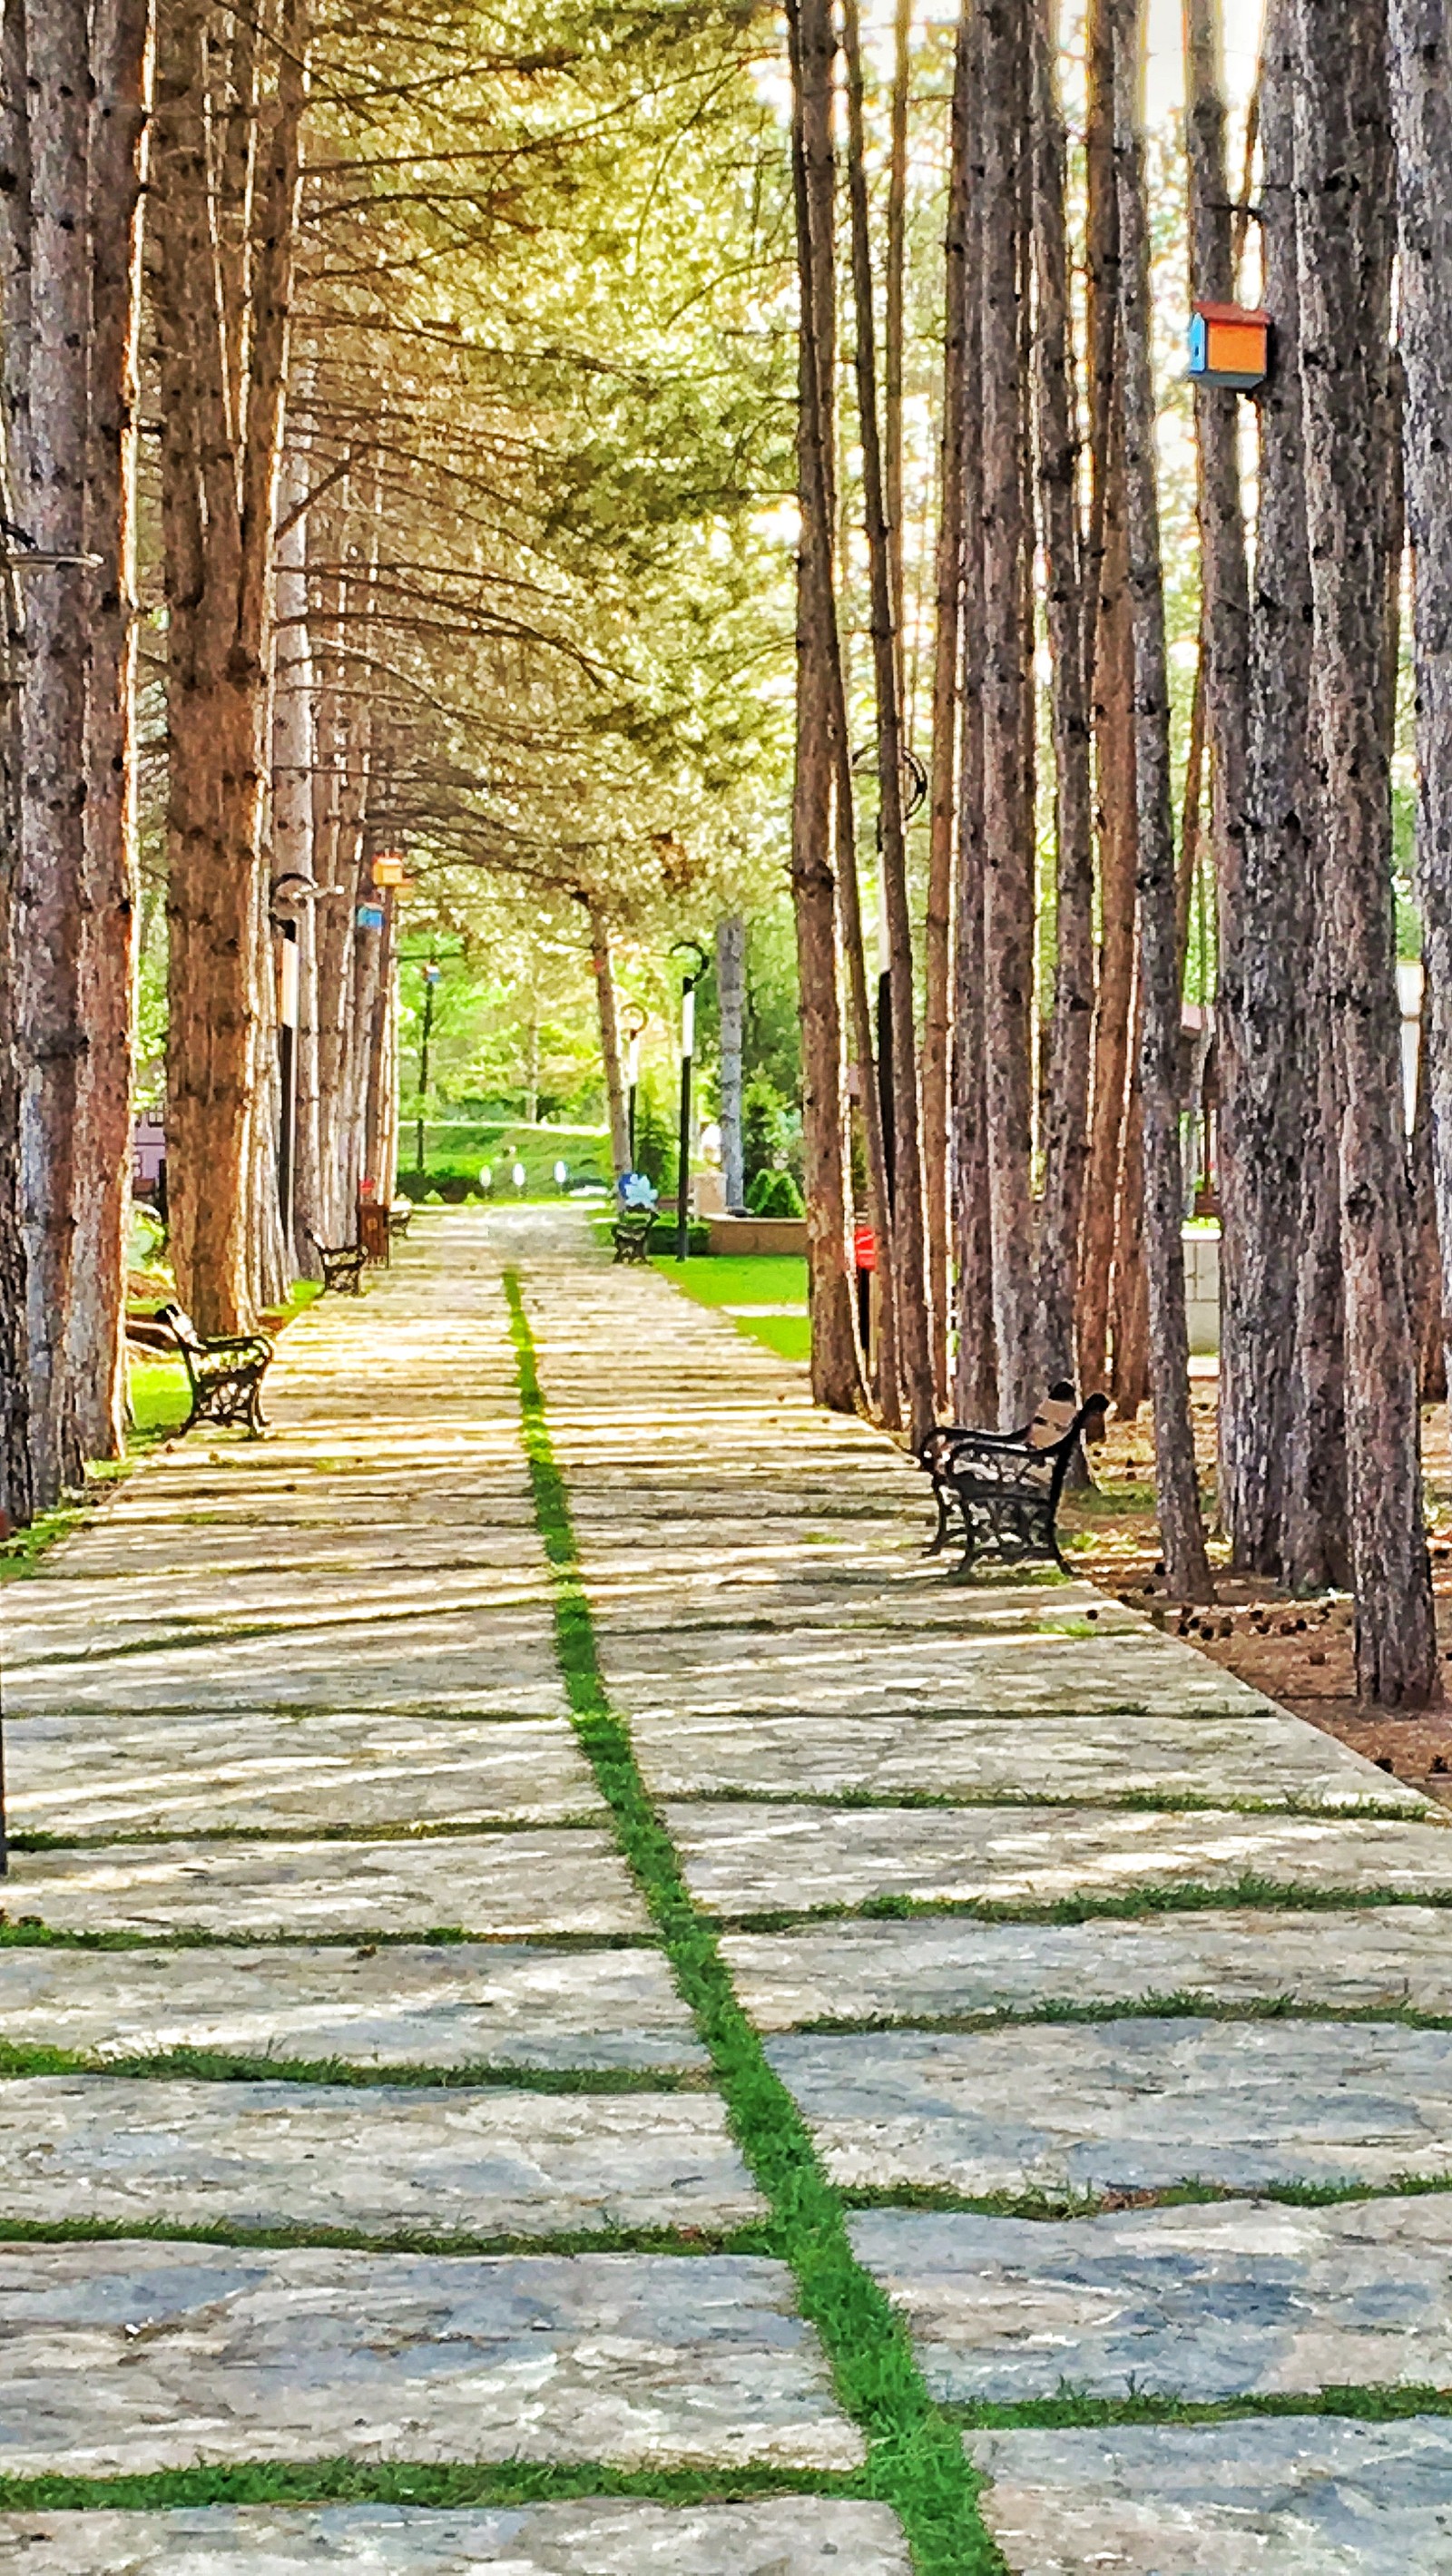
<point x="1345" y="241"/>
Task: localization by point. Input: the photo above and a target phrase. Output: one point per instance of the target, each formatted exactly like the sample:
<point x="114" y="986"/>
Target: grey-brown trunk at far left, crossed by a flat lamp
<point x="53" y="836"/>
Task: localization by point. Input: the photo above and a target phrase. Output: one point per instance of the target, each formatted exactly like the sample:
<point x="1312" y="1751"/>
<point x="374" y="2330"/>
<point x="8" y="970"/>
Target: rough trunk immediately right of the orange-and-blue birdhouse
<point x="1268" y="1039"/>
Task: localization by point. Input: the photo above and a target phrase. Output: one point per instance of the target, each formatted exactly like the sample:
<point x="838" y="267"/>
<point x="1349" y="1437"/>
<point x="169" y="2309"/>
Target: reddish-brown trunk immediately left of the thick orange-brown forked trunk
<point x="97" y="1351"/>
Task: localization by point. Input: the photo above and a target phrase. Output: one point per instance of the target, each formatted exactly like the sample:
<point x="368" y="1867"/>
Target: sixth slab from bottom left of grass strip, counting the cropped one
<point x="251" y="1774"/>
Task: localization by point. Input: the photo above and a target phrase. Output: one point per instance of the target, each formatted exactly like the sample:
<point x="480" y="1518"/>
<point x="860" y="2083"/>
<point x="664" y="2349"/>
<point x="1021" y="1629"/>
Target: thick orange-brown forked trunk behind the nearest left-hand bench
<point x="225" y="334"/>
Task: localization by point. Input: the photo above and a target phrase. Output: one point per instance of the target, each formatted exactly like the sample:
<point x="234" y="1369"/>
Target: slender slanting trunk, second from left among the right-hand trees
<point x="907" y="1235"/>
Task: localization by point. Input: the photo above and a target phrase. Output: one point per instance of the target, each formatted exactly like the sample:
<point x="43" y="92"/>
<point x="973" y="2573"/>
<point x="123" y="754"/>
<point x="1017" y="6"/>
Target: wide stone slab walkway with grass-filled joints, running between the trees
<point x="369" y="2193"/>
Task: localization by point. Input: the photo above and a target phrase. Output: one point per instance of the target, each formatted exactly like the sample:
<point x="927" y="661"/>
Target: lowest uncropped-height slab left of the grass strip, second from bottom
<point x="130" y="2358"/>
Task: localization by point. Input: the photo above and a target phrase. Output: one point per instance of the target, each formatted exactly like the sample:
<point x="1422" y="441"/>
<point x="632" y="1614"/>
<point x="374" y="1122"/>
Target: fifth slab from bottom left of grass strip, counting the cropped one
<point x="483" y="1884"/>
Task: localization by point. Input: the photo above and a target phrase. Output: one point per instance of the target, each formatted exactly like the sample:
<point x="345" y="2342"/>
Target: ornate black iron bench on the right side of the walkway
<point x="1005" y="1485"/>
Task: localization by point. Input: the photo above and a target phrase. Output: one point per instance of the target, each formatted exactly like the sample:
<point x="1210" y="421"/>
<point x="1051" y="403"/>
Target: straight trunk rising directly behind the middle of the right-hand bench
<point x="1008" y="676"/>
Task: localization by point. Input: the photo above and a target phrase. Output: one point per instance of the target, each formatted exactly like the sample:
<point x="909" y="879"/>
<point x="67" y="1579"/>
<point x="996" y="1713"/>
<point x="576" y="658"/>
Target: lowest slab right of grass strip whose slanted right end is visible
<point x="1258" y="1756"/>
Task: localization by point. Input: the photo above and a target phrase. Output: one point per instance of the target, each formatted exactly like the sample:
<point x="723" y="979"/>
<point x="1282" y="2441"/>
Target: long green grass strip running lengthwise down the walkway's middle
<point x="915" y="2459"/>
